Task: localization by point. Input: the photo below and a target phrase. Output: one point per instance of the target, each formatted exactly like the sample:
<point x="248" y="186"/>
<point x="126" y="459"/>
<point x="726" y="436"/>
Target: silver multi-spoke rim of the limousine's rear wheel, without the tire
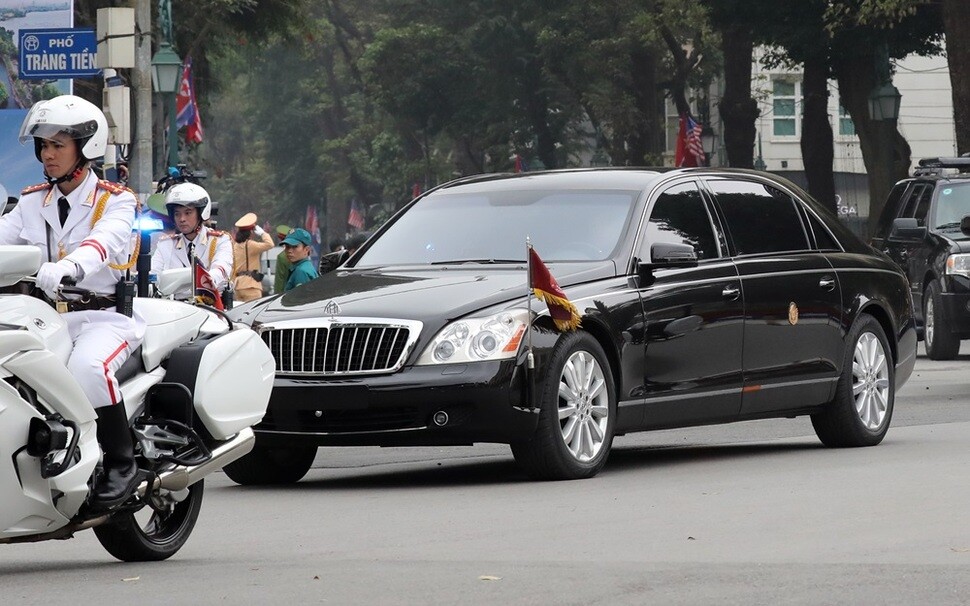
<point x="870" y="381"/>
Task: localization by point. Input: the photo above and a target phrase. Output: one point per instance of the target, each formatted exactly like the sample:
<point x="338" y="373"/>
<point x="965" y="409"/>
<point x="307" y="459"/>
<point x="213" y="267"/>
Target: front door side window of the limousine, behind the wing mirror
<point x="680" y="216"/>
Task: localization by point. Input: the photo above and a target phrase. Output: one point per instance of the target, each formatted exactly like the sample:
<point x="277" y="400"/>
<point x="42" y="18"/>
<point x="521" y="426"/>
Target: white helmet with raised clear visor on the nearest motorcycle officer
<point x="78" y="118"/>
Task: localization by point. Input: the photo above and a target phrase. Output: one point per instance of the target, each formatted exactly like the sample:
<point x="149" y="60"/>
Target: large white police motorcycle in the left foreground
<point x="192" y="392"/>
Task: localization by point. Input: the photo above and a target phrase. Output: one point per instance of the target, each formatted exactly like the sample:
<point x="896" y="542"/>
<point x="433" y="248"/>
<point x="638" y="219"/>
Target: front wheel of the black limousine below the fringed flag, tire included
<point x="577" y="413"/>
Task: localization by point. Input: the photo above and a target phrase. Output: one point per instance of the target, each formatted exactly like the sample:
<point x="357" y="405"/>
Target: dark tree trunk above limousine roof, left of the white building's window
<point x="738" y="110"/>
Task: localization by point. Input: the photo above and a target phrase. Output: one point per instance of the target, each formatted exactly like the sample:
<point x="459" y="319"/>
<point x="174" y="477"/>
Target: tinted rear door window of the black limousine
<point x="760" y="218"/>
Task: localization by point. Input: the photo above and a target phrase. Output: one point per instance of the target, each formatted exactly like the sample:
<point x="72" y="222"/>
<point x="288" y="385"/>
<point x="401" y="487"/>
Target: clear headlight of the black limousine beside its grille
<point x="493" y="337"/>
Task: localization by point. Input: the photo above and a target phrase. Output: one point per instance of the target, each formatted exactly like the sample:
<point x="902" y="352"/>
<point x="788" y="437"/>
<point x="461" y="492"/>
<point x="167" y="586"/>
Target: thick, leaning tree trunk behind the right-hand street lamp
<point x="885" y="152"/>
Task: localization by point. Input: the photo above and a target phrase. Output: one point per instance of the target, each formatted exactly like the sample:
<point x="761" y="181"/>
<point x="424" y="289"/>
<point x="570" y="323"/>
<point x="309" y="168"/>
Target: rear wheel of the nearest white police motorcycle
<point x="154" y="533"/>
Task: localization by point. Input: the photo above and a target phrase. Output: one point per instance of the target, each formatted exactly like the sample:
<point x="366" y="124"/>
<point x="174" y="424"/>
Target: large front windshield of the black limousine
<point x="491" y="227"/>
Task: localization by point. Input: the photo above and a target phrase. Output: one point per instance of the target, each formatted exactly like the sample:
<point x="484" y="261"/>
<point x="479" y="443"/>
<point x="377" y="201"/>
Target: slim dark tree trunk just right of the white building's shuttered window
<point x="817" y="143"/>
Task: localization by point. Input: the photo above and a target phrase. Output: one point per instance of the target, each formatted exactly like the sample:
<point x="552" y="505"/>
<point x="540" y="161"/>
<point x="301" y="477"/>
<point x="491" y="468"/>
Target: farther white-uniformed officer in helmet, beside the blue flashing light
<point x="189" y="206"/>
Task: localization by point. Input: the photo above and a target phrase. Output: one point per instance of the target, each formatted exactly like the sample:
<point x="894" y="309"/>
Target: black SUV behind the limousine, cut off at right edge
<point x="925" y="229"/>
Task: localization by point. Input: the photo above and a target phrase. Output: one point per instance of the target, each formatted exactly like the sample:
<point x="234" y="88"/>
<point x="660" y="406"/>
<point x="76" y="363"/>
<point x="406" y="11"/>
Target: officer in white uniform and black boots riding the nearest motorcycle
<point x="83" y="227"/>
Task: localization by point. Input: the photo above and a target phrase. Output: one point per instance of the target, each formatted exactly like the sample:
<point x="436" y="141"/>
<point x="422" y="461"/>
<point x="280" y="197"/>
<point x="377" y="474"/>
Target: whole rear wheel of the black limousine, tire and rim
<point x="862" y="409"/>
